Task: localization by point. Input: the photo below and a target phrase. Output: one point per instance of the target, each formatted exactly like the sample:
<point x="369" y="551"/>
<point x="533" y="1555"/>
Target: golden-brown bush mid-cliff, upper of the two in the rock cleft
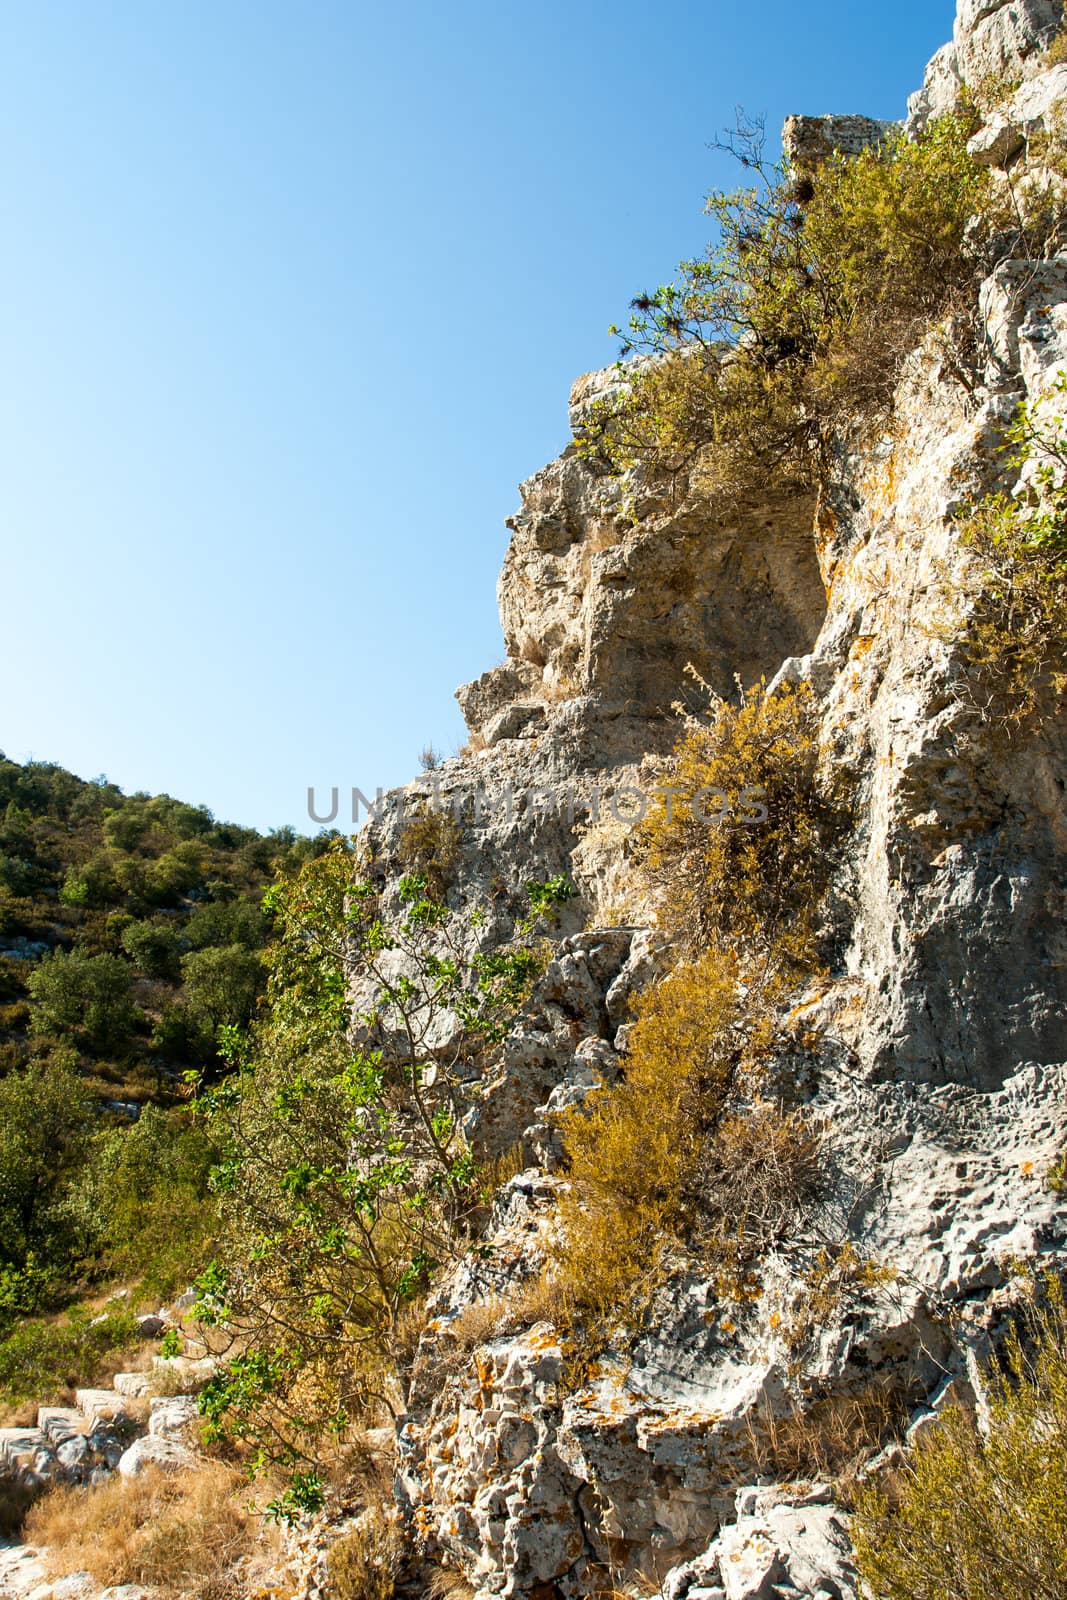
<point x="740" y="857"/>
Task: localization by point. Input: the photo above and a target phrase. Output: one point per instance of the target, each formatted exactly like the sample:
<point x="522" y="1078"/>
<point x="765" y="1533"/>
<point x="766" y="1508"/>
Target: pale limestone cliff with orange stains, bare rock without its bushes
<point x="935" y="1050"/>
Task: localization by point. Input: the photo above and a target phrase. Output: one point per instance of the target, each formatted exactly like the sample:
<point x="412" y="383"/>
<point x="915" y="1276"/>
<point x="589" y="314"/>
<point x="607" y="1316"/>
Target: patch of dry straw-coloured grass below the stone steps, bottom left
<point x="186" y="1534"/>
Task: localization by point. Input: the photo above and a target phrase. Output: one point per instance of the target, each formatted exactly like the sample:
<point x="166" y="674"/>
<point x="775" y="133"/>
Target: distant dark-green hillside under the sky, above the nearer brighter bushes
<point x="130" y="929"/>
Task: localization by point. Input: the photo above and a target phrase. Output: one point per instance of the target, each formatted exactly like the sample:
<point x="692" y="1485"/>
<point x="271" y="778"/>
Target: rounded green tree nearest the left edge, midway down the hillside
<point x="84" y="998"/>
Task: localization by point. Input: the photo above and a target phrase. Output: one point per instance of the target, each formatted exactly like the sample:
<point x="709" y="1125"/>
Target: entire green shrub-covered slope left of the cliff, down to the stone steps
<point x="132" y="932"/>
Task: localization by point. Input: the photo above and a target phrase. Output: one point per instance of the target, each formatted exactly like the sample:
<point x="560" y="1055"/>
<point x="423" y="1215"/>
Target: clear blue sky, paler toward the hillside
<point x="290" y="302"/>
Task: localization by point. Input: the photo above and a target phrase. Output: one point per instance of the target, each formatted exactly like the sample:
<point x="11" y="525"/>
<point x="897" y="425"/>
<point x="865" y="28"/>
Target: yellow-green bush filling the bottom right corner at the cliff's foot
<point x="980" y="1516"/>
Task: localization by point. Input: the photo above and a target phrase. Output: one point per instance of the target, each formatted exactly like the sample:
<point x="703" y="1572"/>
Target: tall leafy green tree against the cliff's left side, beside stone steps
<point x="345" y="1178"/>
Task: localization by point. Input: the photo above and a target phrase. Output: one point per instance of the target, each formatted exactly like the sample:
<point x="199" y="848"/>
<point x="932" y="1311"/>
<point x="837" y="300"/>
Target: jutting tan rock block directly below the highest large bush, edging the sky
<point x="609" y="593"/>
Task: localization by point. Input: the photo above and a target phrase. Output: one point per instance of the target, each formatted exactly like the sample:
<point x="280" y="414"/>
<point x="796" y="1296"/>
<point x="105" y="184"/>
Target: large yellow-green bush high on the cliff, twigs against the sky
<point x="799" y="314"/>
